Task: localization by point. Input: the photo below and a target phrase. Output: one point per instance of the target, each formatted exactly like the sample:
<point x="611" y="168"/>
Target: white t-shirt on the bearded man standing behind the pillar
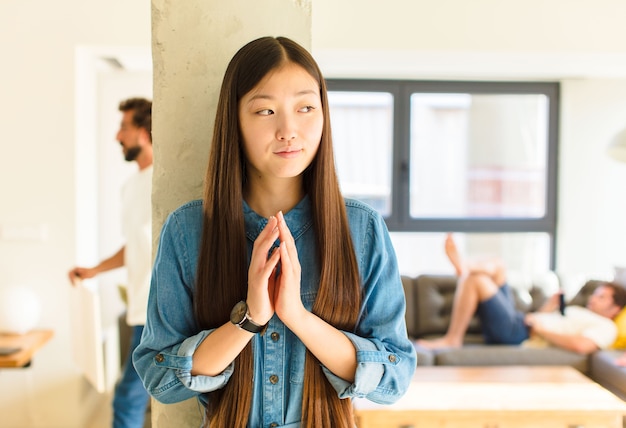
<point x="137" y="230"/>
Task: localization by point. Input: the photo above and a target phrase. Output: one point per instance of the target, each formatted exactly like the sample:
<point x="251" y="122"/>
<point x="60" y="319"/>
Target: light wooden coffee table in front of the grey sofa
<point x="497" y="397"/>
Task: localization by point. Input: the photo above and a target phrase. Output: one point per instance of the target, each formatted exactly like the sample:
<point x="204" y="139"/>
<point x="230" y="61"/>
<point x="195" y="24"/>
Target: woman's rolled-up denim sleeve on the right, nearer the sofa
<point x="386" y="358"/>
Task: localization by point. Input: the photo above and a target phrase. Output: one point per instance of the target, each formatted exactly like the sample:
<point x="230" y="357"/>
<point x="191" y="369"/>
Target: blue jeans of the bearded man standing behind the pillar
<point x="130" y="398"/>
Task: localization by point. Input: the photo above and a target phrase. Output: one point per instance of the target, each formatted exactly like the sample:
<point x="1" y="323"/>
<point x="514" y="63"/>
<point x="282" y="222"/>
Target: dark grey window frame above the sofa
<point x="400" y="220"/>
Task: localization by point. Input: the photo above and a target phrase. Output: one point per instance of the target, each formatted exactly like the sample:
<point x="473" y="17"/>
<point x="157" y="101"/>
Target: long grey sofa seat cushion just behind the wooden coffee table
<point x="510" y="355"/>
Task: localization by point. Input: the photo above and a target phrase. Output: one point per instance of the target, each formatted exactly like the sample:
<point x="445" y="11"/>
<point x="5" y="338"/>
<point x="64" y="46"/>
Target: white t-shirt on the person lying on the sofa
<point x="579" y="321"/>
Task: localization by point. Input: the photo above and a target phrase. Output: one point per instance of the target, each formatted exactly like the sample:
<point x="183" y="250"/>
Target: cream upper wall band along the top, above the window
<point x="461" y="26"/>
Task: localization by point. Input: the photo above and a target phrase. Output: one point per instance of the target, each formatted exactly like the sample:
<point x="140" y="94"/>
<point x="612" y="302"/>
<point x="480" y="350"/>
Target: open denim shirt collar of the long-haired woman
<point x="299" y="219"/>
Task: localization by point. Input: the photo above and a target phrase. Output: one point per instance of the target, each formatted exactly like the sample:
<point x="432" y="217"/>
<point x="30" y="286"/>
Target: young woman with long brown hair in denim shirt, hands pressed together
<point x="274" y="300"/>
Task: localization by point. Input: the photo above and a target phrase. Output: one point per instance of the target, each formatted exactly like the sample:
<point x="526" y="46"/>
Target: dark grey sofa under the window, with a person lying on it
<point x="429" y="304"/>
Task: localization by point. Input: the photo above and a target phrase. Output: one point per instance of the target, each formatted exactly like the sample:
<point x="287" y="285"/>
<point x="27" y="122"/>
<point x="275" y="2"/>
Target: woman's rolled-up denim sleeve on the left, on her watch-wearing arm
<point x="164" y="356"/>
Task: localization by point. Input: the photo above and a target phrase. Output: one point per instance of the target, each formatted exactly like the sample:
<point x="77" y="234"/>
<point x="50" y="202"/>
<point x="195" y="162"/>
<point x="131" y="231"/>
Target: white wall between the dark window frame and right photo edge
<point x="592" y="206"/>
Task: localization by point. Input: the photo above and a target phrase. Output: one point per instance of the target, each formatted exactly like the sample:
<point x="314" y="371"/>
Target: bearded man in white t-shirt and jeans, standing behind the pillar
<point x="135" y="136"/>
